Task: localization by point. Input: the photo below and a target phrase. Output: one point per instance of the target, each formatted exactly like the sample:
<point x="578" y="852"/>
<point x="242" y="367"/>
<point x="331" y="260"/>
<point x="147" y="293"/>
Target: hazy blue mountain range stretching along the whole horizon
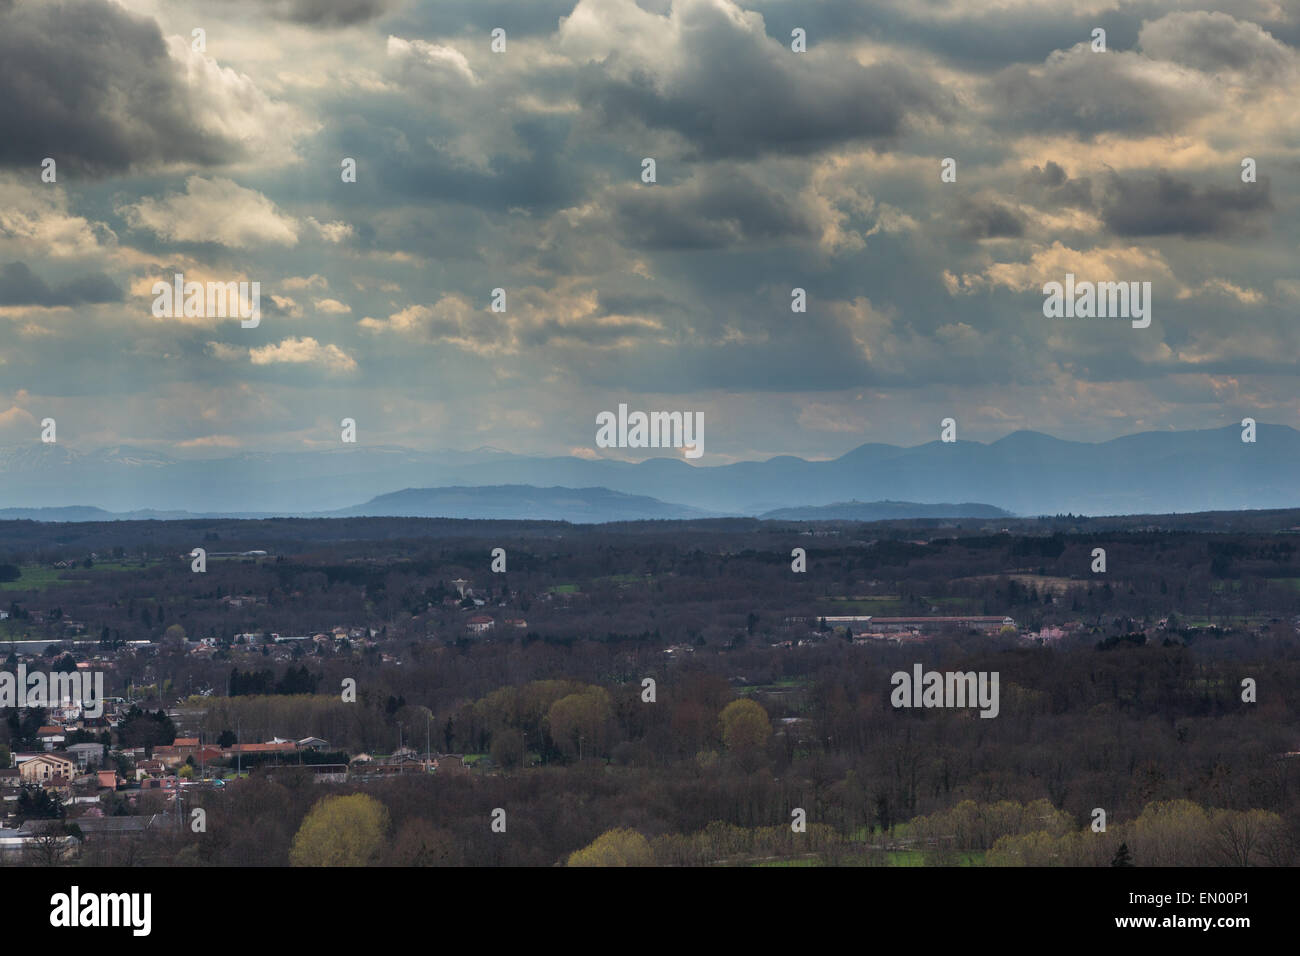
<point x="1025" y="473"/>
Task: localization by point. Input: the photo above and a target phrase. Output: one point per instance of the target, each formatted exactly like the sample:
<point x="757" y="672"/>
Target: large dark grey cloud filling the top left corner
<point x="92" y="85"/>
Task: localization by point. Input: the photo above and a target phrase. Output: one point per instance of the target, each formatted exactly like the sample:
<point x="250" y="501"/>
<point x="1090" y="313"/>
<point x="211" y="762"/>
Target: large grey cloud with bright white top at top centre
<point x="682" y="72"/>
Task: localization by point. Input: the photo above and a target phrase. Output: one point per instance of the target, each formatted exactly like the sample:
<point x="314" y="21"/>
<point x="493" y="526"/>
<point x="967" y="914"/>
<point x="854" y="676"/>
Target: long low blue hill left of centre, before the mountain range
<point x="521" y="503"/>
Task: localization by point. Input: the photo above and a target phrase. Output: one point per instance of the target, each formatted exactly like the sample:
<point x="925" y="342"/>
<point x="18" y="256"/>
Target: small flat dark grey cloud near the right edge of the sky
<point x="1164" y="206"/>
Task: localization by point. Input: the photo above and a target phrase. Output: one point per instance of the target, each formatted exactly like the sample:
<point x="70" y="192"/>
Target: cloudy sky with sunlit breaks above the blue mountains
<point x="219" y="155"/>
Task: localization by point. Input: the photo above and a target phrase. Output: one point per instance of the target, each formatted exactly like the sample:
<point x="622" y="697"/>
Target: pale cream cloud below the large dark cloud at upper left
<point x="216" y="211"/>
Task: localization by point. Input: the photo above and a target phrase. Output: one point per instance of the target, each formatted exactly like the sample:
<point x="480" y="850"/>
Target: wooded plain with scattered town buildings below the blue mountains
<point x="387" y="660"/>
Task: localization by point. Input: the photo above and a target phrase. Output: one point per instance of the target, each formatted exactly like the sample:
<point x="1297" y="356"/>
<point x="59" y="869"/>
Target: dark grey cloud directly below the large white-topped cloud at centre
<point x="718" y="209"/>
